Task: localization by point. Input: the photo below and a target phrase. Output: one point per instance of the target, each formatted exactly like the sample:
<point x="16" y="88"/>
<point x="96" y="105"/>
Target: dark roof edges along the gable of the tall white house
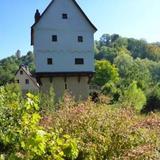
<point x="76" y="4"/>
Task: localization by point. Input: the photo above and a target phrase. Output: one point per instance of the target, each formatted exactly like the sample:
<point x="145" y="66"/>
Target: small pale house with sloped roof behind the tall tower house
<point x="25" y="79"/>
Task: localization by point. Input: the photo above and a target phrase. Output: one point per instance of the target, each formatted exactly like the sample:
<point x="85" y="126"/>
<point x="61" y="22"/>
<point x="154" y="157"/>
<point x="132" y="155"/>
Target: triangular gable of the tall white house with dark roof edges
<point x="51" y="18"/>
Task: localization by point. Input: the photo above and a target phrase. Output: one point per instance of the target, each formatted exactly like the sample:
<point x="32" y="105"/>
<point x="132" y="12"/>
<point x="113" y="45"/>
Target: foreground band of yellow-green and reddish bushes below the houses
<point x="75" y="130"/>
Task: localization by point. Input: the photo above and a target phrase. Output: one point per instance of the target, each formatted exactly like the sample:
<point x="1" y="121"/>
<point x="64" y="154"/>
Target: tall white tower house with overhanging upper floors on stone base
<point x="63" y="40"/>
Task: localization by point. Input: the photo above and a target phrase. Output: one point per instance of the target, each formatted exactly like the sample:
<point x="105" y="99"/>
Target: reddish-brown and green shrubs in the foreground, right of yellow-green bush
<point x="109" y="133"/>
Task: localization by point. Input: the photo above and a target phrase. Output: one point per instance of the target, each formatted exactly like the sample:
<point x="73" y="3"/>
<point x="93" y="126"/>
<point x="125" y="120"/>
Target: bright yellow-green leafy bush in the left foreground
<point x="22" y="136"/>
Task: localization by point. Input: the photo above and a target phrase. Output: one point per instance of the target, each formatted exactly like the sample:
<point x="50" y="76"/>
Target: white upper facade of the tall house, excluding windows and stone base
<point x="67" y="48"/>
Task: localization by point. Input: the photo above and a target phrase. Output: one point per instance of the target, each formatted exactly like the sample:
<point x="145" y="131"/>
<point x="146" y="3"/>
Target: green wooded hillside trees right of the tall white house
<point x="129" y="61"/>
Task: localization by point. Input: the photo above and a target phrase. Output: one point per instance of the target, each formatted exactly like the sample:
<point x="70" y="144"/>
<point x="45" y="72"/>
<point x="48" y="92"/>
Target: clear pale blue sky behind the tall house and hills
<point x="128" y="18"/>
